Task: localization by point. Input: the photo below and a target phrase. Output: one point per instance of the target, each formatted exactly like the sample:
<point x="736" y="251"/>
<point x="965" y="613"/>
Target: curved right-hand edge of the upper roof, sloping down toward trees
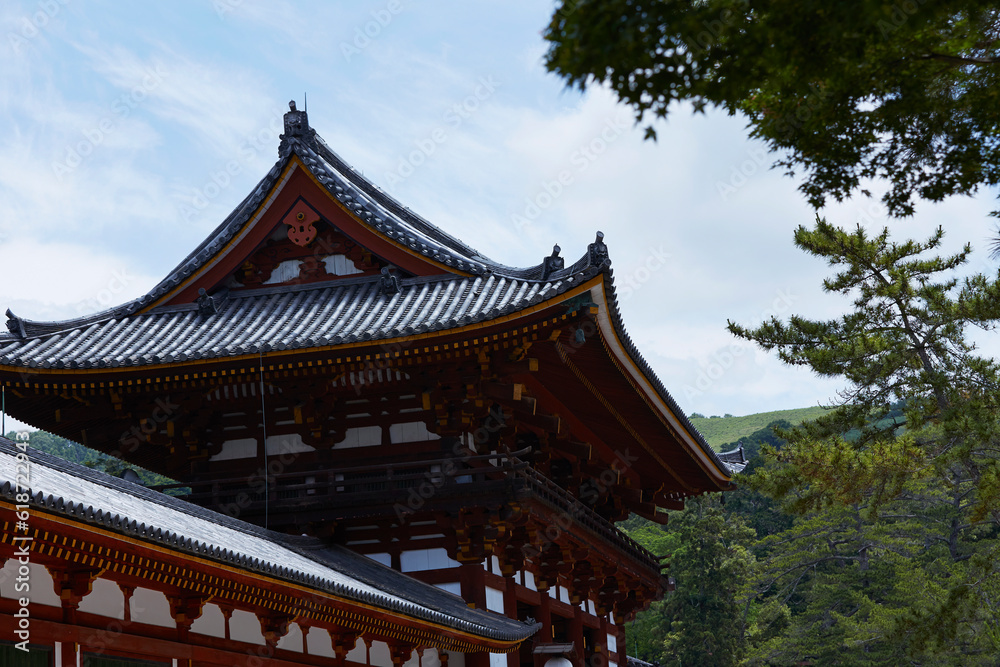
<point x="644" y="378"/>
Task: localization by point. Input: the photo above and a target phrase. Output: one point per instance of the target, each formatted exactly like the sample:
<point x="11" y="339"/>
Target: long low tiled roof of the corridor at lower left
<point x="86" y="495"/>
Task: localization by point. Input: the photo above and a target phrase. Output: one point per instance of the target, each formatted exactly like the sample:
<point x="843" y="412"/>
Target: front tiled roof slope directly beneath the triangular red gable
<point x="281" y="318"/>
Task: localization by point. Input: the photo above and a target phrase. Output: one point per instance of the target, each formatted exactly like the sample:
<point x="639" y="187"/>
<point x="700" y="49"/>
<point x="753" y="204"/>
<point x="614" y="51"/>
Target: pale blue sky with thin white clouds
<point x="128" y="131"/>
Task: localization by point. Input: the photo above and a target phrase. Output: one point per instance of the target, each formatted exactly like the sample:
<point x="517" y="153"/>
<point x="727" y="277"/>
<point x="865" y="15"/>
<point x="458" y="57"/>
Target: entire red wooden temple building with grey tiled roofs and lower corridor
<point x="346" y="393"/>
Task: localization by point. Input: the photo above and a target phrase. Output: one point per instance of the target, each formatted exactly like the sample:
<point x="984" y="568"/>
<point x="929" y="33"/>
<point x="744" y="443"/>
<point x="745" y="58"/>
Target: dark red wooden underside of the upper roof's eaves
<point x="576" y="398"/>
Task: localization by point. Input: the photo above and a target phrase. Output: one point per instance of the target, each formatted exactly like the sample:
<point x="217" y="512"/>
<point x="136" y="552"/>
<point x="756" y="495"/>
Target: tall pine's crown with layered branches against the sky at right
<point x="904" y="342"/>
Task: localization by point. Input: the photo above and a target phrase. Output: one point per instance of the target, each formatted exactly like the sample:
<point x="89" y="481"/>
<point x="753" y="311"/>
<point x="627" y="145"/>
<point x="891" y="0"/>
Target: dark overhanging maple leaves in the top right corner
<point x="842" y="91"/>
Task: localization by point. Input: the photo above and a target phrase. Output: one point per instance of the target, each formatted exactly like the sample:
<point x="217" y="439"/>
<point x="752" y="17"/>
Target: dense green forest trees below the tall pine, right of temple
<point x="758" y="585"/>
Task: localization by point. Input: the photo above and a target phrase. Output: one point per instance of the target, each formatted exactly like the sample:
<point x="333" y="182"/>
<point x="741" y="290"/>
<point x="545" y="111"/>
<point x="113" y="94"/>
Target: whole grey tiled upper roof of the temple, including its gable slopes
<point x="347" y="310"/>
